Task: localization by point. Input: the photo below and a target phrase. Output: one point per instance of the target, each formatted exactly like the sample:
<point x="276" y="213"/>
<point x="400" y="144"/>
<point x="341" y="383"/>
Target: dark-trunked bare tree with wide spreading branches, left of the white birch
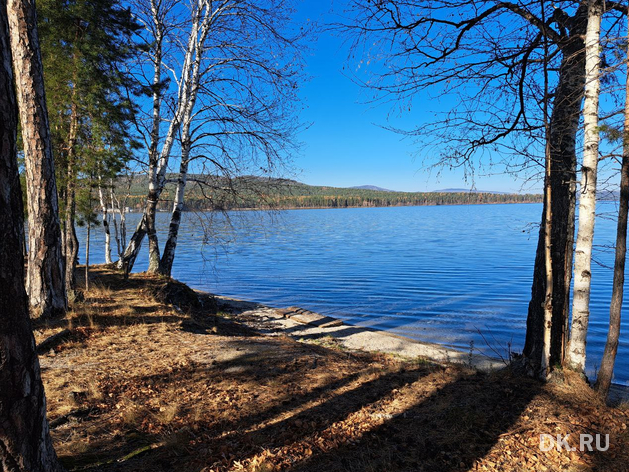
<point x="490" y="55"/>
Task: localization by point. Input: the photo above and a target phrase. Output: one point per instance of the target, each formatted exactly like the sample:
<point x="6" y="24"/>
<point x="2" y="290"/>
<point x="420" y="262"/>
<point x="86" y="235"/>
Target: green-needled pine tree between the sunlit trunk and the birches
<point x="87" y="43"/>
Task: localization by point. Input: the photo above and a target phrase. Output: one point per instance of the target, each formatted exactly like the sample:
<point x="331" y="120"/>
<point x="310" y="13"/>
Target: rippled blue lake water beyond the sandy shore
<point x="454" y="275"/>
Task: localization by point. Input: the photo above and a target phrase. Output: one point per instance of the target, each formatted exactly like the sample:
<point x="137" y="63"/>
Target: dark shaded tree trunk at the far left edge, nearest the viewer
<point x="25" y="443"/>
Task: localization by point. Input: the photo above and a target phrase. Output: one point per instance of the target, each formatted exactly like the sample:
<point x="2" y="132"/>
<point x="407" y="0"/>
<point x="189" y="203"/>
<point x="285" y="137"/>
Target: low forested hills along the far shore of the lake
<point x="212" y="193"/>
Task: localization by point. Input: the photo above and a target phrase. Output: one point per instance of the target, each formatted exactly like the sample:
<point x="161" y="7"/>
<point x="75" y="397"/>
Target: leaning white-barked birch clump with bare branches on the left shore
<point x="245" y="49"/>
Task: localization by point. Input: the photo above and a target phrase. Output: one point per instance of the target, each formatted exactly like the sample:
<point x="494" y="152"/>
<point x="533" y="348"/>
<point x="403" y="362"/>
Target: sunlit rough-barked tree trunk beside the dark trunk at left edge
<point x="45" y="280"/>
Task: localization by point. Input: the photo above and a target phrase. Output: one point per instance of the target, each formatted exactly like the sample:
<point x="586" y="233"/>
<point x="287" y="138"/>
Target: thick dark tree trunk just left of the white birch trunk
<point x="564" y="126"/>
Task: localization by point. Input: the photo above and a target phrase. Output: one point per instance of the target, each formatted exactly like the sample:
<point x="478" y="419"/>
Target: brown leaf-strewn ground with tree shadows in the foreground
<point x="134" y="383"/>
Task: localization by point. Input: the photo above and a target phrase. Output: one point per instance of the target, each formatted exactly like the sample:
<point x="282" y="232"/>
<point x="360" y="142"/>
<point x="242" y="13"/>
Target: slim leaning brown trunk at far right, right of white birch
<point x="605" y="373"/>
